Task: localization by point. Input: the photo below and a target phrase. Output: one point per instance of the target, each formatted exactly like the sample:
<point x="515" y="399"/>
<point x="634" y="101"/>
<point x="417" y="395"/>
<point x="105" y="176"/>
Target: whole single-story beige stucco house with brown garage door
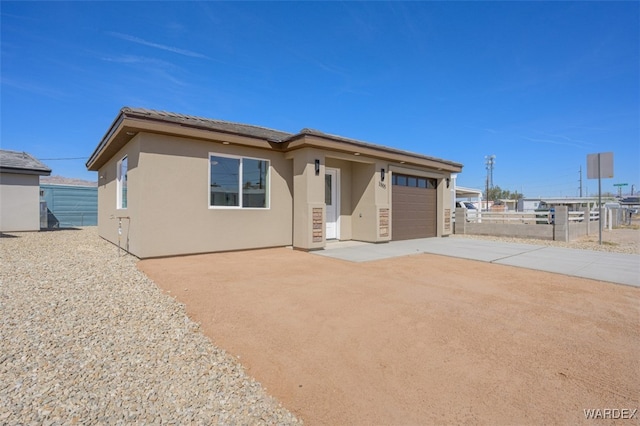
<point x="171" y="184"/>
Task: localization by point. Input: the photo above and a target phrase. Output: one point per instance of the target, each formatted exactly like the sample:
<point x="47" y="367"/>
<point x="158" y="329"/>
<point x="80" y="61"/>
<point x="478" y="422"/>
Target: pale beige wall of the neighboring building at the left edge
<point x="19" y="202"/>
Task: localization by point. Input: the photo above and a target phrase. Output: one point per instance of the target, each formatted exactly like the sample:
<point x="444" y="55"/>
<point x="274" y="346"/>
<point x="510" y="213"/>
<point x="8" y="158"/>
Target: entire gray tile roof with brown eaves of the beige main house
<point x="130" y="121"/>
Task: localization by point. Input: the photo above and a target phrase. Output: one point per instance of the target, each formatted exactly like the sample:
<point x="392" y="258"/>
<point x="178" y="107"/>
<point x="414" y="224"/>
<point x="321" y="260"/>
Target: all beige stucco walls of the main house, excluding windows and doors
<point x="168" y="193"/>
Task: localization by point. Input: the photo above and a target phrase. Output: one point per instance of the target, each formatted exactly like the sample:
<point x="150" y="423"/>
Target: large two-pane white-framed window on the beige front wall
<point x="238" y="182"/>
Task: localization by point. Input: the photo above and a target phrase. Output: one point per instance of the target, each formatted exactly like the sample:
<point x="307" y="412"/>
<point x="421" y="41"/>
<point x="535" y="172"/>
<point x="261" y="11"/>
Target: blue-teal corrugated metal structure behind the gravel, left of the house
<point x="70" y="205"/>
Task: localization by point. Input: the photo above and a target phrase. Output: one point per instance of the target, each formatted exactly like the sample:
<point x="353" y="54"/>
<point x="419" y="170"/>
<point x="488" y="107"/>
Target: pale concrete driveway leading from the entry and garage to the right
<point x="604" y="266"/>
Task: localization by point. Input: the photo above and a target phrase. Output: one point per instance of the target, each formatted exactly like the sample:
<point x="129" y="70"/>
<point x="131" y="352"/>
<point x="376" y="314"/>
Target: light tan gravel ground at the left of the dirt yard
<point x="86" y="338"/>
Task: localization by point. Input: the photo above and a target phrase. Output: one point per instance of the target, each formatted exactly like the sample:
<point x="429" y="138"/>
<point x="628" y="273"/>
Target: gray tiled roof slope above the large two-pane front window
<point x="208" y="123"/>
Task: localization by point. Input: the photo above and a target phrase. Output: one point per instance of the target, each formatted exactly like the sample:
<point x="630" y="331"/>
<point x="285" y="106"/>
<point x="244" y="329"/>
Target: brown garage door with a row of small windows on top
<point x="413" y="207"/>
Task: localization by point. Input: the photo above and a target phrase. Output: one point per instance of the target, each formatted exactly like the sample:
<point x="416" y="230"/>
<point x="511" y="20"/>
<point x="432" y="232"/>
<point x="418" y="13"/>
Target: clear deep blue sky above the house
<point x="537" y="84"/>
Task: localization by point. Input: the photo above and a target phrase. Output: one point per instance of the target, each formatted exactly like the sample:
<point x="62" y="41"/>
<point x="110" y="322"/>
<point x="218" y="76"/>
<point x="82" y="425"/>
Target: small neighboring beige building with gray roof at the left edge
<point x="20" y="191"/>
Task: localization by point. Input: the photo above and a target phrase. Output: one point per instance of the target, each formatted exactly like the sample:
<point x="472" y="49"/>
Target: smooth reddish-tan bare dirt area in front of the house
<point x="420" y="339"/>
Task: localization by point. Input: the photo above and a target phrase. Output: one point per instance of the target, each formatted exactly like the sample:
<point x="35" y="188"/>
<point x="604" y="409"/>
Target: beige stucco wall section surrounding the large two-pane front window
<point x="168" y="201"/>
